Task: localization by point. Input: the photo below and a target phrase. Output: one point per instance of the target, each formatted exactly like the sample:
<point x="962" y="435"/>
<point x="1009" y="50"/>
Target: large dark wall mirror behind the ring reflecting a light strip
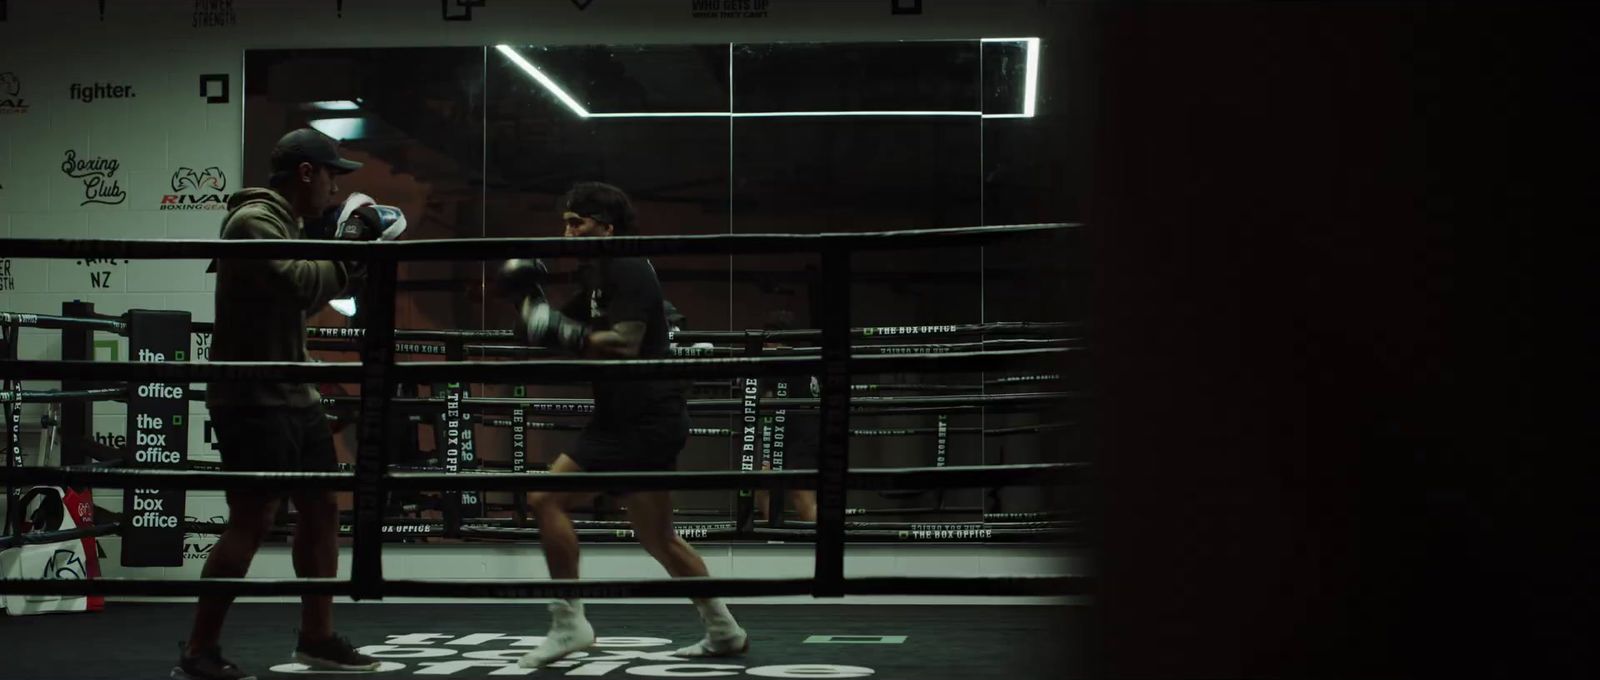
<point x="722" y="138"/>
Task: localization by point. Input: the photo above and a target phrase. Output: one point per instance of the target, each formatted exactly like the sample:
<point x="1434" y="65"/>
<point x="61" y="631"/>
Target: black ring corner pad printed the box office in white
<point x="159" y="438"/>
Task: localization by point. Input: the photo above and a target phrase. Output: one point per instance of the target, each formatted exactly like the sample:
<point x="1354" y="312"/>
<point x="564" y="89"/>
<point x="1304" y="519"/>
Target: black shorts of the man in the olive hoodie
<point x="274" y="439"/>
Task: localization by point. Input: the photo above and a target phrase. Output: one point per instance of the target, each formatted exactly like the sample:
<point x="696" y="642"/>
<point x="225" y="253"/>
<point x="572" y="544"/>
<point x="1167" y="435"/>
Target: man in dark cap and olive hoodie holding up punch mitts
<point x="262" y="308"/>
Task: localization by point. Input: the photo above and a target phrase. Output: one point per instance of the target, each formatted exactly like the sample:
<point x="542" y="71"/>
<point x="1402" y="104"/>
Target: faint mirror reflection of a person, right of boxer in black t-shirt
<point x="799" y="426"/>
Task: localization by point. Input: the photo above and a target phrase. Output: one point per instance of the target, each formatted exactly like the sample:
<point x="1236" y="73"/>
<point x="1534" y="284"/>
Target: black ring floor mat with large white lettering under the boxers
<point x="967" y="642"/>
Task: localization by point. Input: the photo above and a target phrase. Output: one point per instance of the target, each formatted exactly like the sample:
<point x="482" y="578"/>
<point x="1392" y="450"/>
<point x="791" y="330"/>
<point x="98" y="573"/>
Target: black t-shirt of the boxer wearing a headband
<point x="626" y="290"/>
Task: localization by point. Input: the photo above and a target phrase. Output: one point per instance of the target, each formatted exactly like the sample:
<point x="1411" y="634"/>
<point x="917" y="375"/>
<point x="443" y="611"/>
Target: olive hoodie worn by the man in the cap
<point x="262" y="305"/>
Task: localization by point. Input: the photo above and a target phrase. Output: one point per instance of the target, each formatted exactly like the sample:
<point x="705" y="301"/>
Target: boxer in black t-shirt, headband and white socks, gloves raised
<point x="636" y="426"/>
